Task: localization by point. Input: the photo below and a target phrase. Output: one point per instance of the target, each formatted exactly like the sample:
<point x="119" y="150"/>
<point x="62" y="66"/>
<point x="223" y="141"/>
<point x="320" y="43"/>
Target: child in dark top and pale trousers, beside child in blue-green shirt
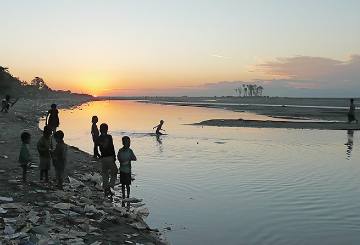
<point x="108" y="165"/>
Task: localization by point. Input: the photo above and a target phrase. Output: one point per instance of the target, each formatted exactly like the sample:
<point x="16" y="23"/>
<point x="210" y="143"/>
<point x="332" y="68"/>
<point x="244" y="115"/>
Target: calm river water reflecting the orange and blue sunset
<point x="233" y="185"/>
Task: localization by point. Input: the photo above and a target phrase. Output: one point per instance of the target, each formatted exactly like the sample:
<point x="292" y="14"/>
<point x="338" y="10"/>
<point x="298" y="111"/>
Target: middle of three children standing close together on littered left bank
<point x="44" y="148"/>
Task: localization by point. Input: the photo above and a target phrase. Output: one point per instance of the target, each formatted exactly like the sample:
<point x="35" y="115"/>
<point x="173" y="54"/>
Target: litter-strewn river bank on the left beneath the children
<point x="40" y="212"/>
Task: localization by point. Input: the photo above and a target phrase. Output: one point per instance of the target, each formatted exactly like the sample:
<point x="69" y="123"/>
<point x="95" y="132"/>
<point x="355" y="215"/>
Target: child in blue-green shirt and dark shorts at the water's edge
<point x="125" y="156"/>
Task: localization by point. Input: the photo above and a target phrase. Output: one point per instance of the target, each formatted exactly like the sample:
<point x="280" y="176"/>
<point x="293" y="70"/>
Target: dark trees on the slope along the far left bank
<point x="35" y="88"/>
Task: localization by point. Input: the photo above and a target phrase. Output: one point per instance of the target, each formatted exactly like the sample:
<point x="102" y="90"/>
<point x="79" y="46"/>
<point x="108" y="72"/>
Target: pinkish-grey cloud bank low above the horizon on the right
<point x="303" y="76"/>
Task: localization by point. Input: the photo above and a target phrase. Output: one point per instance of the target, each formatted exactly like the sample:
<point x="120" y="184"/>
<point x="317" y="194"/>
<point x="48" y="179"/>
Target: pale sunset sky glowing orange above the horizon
<point x="290" y="47"/>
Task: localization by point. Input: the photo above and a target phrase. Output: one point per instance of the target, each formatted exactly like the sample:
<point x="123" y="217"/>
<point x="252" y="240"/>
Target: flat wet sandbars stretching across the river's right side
<point x="314" y="113"/>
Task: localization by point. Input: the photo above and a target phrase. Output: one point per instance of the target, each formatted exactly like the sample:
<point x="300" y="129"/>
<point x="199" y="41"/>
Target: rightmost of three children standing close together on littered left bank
<point x="59" y="158"/>
